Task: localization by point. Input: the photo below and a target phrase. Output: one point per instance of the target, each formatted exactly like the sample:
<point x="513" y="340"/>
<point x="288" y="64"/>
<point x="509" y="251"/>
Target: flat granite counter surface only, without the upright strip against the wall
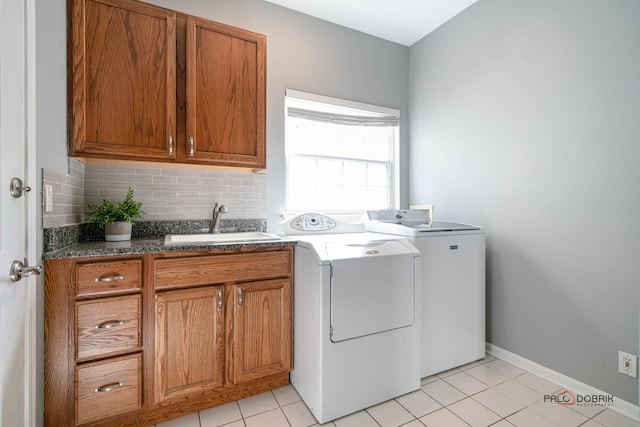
<point x="150" y="246"/>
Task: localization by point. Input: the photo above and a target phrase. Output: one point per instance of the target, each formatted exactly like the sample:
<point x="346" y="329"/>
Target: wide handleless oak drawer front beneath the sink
<point x="214" y="269"/>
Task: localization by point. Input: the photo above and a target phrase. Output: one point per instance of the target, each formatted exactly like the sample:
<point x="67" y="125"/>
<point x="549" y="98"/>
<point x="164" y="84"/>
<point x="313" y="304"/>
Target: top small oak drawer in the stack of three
<point x="108" y="277"/>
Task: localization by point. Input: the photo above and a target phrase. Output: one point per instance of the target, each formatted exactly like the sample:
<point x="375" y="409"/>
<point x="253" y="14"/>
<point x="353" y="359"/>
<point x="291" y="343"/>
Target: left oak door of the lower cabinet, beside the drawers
<point x="189" y="342"/>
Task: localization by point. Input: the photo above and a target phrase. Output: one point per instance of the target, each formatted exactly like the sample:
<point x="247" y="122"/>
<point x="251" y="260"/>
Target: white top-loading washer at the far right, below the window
<point x="452" y="302"/>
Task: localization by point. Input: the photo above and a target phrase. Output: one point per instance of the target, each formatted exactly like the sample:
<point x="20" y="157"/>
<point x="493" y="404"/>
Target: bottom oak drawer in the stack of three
<point x="108" y="388"/>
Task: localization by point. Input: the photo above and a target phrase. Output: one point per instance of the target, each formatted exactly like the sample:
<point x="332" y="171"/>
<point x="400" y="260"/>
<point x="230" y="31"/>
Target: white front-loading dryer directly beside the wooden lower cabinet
<point x="356" y="332"/>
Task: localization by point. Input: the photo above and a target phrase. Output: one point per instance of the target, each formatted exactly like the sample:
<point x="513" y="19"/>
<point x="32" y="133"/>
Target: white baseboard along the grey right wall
<point x="623" y="407"/>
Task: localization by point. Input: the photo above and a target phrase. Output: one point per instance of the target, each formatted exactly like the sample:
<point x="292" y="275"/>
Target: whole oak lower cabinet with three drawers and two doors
<point x="137" y="340"/>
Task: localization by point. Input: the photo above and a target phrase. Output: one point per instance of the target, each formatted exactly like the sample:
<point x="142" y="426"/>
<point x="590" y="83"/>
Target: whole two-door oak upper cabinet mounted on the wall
<point x="150" y="84"/>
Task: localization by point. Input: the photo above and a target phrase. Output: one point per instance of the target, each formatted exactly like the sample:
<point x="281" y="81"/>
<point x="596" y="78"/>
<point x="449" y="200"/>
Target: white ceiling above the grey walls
<point x="401" y="21"/>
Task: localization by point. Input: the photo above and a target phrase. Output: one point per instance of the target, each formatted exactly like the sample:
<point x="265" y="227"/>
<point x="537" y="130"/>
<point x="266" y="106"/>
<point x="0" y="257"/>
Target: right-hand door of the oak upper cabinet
<point x="226" y="95"/>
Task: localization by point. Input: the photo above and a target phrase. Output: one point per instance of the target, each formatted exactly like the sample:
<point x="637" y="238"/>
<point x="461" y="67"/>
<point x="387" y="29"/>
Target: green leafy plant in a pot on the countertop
<point x="116" y="218"/>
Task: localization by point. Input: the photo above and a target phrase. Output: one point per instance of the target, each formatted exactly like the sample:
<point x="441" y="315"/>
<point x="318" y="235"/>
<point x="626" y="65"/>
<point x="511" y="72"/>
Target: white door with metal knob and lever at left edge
<point x="17" y="325"/>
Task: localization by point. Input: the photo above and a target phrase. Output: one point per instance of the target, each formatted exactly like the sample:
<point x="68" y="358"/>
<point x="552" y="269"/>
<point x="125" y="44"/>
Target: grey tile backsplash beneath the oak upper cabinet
<point x="166" y="194"/>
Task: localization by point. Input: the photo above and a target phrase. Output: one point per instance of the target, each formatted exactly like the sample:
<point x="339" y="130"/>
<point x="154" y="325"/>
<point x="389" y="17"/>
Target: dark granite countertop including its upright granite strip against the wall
<point x="86" y="240"/>
